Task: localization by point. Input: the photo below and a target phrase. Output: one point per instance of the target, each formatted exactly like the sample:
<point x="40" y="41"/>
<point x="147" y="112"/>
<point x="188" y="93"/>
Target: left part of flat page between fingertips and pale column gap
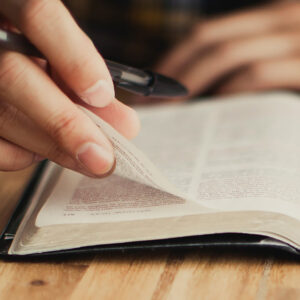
<point x="174" y="136"/>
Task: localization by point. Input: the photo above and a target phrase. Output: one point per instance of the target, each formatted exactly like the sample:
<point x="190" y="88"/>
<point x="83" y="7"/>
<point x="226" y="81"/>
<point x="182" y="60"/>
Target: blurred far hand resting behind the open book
<point x="253" y="50"/>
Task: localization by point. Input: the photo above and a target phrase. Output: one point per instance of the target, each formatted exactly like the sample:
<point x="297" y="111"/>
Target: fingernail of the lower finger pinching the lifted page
<point x="95" y="158"/>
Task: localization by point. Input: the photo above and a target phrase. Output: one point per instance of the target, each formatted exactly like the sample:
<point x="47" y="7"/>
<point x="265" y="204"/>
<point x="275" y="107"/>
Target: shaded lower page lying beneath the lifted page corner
<point x="80" y="199"/>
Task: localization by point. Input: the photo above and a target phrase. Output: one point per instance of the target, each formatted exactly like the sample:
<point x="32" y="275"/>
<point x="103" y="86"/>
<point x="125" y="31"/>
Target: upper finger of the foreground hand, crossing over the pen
<point x="51" y="28"/>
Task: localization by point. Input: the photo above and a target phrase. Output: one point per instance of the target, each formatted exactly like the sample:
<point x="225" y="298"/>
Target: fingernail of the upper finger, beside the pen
<point x="98" y="95"/>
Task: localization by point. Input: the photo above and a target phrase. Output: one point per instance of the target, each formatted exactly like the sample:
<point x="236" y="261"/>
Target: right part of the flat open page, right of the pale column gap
<point x="253" y="160"/>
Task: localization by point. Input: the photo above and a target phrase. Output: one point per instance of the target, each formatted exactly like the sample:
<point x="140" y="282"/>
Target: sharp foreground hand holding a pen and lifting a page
<point x="38" y="116"/>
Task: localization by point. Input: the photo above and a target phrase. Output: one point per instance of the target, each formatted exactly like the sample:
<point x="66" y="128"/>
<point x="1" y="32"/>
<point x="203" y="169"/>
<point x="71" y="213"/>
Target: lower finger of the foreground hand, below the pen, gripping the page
<point x="27" y="87"/>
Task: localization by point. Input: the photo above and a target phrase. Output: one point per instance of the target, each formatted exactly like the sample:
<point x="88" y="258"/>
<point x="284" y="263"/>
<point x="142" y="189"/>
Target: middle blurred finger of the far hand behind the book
<point x="228" y="57"/>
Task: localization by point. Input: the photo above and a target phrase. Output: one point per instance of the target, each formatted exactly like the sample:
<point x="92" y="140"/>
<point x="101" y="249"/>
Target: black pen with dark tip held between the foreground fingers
<point x="134" y="80"/>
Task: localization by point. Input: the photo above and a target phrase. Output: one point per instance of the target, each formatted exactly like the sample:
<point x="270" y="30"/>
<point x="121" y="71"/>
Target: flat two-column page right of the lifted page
<point x="239" y="154"/>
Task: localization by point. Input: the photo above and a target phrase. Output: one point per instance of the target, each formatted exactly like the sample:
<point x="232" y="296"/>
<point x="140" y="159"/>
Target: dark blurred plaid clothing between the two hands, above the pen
<point x="139" y="32"/>
